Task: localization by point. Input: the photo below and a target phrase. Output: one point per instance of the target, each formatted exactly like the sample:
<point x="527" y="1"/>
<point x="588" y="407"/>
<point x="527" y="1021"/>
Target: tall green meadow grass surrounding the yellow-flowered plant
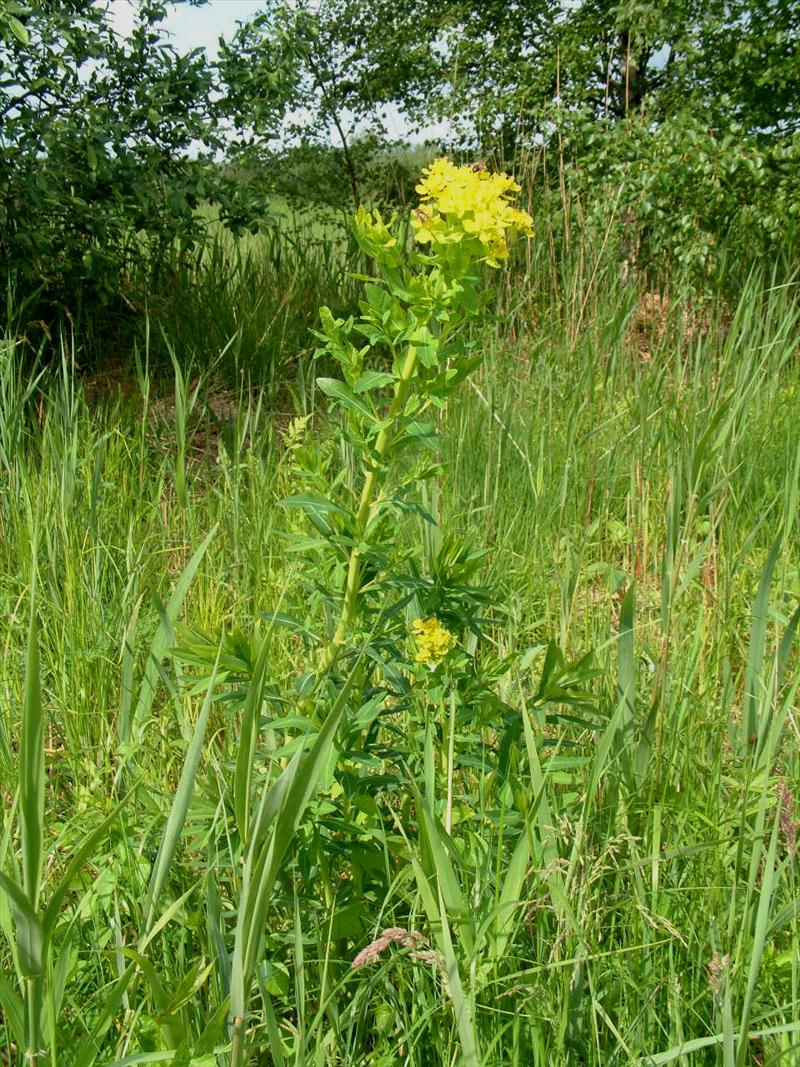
<point x="596" y="866"/>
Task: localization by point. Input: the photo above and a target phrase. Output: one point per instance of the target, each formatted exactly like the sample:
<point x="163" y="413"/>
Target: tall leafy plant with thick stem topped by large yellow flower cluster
<point x="404" y="356"/>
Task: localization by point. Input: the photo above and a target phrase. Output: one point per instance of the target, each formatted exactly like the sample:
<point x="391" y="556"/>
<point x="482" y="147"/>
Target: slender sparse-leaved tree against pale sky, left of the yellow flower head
<point x="333" y="89"/>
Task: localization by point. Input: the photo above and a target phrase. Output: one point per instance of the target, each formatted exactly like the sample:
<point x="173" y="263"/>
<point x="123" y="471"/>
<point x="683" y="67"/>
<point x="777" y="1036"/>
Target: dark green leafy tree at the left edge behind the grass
<point x="106" y="150"/>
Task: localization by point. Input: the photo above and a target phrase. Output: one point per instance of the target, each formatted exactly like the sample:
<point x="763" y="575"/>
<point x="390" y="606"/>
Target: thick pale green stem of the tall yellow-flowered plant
<point x="372" y="484"/>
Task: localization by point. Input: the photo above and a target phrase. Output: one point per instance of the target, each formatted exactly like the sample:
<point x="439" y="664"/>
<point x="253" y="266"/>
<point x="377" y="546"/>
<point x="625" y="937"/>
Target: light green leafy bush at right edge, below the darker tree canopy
<point x="681" y="196"/>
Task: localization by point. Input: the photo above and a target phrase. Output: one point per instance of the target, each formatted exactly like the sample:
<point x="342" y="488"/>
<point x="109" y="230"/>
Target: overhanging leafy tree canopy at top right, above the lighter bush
<point x="511" y="65"/>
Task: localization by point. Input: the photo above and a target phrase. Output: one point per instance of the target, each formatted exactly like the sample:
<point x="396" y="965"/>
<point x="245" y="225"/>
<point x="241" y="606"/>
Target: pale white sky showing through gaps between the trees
<point x="203" y="27"/>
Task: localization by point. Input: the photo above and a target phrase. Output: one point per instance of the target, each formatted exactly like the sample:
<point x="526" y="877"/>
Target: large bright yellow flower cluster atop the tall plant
<point x="465" y="203"/>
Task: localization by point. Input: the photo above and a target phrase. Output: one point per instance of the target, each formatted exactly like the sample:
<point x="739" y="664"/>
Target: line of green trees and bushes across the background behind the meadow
<point x="673" y="128"/>
